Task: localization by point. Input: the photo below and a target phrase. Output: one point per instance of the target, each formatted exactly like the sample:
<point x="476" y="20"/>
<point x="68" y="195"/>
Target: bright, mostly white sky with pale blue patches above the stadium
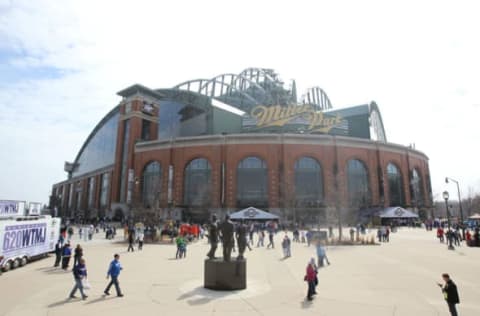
<point x="62" y="63"/>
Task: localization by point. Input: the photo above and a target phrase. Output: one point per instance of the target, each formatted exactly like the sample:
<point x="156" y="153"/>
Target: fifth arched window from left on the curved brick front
<point x="358" y="187"/>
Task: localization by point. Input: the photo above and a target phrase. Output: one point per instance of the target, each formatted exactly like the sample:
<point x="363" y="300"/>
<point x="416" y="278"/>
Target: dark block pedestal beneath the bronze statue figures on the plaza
<point x="220" y="275"/>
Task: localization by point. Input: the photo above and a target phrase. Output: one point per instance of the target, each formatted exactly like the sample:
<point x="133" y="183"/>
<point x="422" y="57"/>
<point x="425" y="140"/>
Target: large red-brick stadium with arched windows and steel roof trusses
<point x="238" y="140"/>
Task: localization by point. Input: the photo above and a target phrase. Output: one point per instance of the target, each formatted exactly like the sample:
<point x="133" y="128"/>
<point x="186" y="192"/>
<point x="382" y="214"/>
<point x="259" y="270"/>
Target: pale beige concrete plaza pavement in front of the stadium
<point x="397" y="278"/>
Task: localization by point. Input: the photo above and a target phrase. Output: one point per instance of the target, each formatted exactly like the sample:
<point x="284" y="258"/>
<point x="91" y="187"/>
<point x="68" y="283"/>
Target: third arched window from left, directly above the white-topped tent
<point x="252" y="182"/>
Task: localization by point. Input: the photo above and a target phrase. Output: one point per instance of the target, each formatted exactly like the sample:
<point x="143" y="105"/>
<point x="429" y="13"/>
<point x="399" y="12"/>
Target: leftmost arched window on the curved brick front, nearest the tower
<point x="151" y="184"/>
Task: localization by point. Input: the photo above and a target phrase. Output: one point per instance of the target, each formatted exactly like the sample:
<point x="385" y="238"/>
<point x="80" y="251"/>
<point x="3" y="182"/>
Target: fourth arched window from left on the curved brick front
<point x="308" y="182"/>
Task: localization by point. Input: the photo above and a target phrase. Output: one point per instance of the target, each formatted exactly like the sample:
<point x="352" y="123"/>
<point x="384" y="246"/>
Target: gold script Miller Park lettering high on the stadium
<point x="304" y="114"/>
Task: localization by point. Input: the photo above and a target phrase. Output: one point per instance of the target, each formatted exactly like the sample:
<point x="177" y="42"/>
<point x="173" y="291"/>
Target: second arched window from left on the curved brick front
<point x="197" y="183"/>
